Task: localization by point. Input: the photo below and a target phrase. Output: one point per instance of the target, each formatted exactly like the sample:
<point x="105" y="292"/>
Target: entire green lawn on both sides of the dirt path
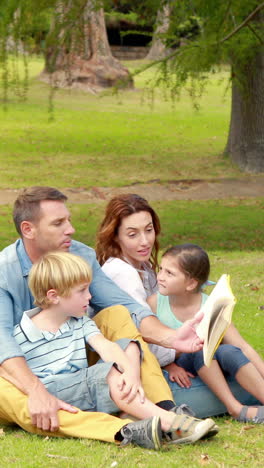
<point x="118" y="140"/>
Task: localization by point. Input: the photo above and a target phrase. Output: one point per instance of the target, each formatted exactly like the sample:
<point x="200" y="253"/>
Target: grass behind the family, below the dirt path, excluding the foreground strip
<point x="221" y="227"/>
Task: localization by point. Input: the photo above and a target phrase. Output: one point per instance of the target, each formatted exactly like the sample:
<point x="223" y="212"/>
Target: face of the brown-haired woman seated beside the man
<point x="136" y="237"/>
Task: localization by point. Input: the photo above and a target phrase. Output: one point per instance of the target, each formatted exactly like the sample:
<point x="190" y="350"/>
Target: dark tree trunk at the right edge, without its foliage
<point x="245" y="143"/>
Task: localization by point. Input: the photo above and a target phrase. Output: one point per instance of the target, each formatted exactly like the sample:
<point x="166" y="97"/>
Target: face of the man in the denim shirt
<point x="53" y="231"/>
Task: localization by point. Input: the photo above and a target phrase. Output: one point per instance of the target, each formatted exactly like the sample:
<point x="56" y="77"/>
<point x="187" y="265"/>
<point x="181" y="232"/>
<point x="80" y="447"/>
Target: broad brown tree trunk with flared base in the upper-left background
<point x="78" y="54"/>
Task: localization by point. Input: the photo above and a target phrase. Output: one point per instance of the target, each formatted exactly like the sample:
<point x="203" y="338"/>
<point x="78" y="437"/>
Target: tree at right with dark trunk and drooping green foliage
<point x="231" y="32"/>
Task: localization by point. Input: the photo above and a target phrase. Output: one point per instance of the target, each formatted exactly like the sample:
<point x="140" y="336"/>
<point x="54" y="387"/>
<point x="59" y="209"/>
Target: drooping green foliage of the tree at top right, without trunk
<point x="219" y="39"/>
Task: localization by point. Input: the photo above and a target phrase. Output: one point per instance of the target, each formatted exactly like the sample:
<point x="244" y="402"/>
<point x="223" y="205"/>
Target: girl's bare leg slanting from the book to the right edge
<point x="234" y="338"/>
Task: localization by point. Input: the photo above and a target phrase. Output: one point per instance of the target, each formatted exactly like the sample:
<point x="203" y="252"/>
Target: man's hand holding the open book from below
<point x="185" y="338"/>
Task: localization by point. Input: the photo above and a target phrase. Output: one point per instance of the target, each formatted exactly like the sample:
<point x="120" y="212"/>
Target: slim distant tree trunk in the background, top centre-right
<point x="158" y="48"/>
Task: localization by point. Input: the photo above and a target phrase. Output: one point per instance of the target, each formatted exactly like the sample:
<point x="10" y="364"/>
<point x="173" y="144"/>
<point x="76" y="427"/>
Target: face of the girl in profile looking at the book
<point x="171" y="280"/>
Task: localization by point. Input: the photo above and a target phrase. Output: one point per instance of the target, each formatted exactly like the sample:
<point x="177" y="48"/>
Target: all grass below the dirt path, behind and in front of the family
<point x="233" y="248"/>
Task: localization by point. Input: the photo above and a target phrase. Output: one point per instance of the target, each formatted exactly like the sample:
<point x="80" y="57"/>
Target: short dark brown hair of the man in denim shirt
<point x="27" y="204"/>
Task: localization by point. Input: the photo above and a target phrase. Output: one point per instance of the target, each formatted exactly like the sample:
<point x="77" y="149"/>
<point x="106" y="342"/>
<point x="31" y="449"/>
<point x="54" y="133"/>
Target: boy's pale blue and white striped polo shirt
<point x="50" y="353"/>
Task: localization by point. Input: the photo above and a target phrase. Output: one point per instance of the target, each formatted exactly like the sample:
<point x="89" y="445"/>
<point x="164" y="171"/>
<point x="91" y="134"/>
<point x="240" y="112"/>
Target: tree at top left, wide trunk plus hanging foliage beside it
<point x="77" y="52"/>
